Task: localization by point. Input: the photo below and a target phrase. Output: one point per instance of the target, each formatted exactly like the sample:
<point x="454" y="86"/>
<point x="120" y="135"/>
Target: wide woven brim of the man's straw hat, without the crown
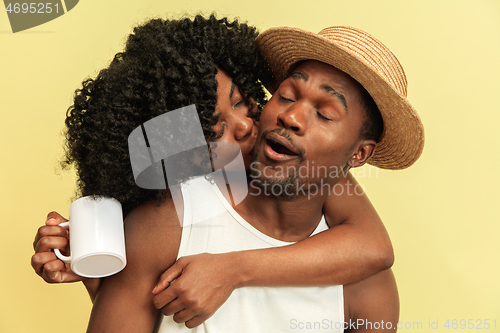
<point x="402" y="141"/>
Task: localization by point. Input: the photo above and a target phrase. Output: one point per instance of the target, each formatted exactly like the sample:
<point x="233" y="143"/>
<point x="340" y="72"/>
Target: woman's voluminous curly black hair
<point x="166" y="64"/>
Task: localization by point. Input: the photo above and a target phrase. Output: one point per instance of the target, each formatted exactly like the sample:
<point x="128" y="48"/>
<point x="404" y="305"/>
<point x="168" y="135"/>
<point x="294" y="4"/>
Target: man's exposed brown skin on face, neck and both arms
<point x="317" y="115"/>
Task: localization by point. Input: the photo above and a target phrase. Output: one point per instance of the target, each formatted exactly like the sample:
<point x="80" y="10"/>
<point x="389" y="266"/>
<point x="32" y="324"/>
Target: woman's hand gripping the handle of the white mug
<point x="44" y="261"/>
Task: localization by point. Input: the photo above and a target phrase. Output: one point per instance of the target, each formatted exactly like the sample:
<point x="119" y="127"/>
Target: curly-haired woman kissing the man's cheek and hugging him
<point x="212" y="63"/>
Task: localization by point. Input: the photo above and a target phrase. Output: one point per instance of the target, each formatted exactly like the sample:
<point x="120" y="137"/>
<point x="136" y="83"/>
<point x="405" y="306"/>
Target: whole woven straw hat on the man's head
<point x="370" y="63"/>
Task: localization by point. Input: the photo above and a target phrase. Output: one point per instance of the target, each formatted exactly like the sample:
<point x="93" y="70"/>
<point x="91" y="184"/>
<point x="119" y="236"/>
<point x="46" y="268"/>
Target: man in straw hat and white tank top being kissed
<point x="317" y="119"/>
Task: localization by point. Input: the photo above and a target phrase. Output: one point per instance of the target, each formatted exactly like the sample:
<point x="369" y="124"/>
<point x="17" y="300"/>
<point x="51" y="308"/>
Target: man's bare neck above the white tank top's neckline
<point x="289" y="220"/>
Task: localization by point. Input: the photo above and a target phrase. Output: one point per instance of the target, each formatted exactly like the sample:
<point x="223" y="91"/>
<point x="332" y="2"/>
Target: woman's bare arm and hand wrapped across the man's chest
<point x="354" y="248"/>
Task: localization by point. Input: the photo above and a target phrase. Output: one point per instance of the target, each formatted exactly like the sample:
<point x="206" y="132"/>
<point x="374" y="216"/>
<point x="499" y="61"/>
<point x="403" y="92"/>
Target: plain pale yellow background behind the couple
<point x="442" y="213"/>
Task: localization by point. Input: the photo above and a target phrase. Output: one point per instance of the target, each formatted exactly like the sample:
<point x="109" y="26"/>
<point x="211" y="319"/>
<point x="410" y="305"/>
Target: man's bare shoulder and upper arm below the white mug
<point x="124" y="302"/>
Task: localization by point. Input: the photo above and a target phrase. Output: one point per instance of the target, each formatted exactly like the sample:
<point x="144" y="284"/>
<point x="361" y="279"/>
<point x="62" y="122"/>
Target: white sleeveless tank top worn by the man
<point x="249" y="309"/>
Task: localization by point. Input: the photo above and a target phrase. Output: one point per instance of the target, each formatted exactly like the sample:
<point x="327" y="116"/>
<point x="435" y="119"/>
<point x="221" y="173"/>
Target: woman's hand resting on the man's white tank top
<point x="203" y="282"/>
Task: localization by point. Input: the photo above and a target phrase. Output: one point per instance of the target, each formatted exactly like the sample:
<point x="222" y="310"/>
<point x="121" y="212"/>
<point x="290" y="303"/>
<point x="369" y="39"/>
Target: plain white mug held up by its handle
<point x="96" y="237"/>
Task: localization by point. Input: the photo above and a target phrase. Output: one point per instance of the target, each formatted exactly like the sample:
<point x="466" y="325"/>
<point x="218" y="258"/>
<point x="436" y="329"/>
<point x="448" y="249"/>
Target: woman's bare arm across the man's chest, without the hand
<point x="355" y="247"/>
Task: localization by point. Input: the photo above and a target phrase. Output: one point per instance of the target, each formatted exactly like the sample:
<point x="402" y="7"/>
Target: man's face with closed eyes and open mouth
<point x="309" y="130"/>
